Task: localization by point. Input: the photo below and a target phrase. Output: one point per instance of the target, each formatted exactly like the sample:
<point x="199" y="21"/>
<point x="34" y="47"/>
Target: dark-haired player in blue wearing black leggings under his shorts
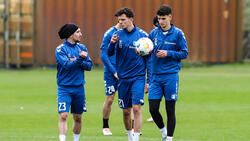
<point x="170" y="47"/>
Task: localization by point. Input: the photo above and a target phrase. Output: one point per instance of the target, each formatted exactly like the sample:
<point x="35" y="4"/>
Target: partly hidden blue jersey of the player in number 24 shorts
<point x="108" y="61"/>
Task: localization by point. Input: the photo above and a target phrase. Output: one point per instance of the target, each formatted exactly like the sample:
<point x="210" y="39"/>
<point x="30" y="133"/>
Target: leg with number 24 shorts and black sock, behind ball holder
<point x="110" y="89"/>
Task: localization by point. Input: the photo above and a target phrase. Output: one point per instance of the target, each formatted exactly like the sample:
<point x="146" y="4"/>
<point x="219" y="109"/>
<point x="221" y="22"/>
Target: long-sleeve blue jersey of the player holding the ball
<point x="128" y="63"/>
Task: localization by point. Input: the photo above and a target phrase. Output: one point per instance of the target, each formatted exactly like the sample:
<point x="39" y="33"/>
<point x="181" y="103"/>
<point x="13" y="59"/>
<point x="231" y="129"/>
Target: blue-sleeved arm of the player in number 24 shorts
<point x="105" y="57"/>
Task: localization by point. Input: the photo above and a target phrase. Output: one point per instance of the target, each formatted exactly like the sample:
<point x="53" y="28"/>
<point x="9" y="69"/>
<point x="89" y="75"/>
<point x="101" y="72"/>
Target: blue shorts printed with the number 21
<point x="131" y="91"/>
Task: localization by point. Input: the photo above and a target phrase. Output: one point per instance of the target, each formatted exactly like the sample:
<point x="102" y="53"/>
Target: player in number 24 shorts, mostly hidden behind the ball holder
<point x="110" y="78"/>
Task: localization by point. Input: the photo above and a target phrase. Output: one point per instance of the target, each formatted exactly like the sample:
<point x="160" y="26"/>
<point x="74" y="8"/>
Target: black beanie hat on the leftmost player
<point x="67" y="30"/>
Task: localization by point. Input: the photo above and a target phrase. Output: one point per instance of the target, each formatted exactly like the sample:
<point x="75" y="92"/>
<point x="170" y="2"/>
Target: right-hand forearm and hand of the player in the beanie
<point x="86" y="63"/>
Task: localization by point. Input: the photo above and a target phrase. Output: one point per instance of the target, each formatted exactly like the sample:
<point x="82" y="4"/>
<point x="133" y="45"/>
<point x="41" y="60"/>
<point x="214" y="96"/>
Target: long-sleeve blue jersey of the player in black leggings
<point x="174" y="42"/>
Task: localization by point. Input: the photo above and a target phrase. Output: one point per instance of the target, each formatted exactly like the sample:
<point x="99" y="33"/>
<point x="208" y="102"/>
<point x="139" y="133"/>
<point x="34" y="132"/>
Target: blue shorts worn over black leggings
<point x="166" y="85"/>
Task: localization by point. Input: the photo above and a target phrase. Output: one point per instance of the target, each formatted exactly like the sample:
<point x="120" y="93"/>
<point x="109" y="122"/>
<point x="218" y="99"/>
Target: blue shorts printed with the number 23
<point x="74" y="97"/>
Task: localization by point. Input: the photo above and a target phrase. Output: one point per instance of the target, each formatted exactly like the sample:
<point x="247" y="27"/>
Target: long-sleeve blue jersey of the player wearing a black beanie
<point x="70" y="72"/>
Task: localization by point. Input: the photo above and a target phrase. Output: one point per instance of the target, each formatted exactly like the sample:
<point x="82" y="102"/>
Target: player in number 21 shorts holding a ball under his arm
<point x="131" y="70"/>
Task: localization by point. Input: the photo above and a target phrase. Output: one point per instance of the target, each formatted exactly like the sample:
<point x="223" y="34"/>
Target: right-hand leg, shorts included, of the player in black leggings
<point x="171" y="96"/>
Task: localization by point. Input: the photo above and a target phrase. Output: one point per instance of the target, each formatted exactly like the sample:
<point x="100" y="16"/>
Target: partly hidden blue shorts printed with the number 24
<point x="110" y="83"/>
